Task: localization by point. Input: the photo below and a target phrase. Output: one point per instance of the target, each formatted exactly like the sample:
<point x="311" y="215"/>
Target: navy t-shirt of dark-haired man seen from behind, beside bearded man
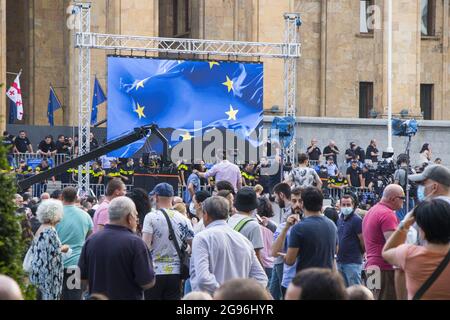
<point x="316" y="239"/>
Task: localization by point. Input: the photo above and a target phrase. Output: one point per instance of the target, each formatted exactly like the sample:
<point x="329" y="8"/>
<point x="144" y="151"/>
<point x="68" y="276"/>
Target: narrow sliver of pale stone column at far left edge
<point x="3" y="84"/>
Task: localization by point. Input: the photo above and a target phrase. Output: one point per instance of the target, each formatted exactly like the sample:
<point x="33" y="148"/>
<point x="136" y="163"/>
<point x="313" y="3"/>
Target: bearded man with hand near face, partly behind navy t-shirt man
<point x="280" y="244"/>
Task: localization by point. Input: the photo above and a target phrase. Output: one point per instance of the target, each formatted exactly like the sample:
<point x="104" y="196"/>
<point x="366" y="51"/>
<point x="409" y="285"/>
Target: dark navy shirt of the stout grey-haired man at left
<point x="116" y="263"/>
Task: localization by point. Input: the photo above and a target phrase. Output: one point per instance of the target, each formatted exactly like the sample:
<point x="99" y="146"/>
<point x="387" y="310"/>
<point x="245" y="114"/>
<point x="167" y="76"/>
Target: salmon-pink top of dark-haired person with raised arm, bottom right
<point x="419" y="263"/>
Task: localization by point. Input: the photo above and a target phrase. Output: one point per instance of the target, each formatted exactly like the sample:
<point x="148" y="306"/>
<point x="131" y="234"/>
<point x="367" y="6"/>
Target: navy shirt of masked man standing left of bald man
<point x="349" y="244"/>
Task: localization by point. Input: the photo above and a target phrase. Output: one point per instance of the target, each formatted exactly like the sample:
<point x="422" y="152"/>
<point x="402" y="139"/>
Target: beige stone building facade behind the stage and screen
<point x="342" y="72"/>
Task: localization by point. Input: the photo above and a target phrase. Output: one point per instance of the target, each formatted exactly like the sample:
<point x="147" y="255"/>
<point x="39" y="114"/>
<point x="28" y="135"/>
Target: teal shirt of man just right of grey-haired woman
<point x="72" y="231"/>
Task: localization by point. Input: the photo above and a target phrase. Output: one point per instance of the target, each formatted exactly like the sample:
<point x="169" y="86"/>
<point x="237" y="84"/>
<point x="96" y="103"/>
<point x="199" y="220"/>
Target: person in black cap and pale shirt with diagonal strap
<point x="244" y="222"/>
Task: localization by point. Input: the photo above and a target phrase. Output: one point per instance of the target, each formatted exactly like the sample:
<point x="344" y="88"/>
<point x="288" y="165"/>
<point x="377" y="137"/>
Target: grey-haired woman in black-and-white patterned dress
<point x="46" y="251"/>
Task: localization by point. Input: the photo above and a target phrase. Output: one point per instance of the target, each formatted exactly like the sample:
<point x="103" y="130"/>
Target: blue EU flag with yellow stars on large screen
<point x="175" y="94"/>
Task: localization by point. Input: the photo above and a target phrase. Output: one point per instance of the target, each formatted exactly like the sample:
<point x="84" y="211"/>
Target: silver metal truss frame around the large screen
<point x="85" y="41"/>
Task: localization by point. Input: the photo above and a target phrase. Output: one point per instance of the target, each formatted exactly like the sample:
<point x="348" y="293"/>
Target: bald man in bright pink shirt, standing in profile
<point x="378" y="225"/>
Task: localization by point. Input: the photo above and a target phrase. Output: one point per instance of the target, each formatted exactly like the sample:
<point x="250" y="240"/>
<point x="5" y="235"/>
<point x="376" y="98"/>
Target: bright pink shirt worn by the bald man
<point x="378" y="220"/>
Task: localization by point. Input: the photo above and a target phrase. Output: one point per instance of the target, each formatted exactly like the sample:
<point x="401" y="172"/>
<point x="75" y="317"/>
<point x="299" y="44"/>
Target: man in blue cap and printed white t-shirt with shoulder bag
<point x="156" y="234"/>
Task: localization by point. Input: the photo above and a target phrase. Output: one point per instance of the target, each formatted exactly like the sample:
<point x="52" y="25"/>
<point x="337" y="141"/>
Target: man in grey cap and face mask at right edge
<point x="434" y="183"/>
